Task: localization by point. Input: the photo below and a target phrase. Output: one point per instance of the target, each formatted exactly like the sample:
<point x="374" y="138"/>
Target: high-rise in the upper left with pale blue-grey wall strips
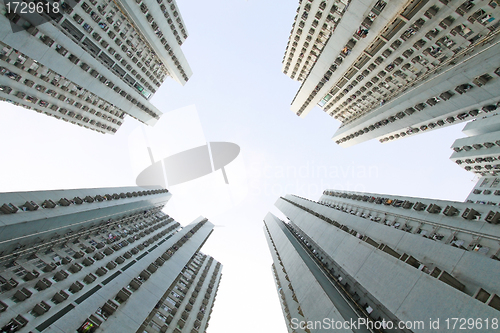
<point x="94" y="61"/>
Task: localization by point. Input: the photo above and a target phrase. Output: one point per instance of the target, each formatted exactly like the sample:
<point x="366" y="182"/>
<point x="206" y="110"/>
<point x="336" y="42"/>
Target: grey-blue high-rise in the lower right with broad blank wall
<point x="392" y="263"/>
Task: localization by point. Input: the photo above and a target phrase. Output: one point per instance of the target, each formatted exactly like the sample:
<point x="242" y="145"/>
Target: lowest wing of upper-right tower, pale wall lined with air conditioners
<point x="400" y="117"/>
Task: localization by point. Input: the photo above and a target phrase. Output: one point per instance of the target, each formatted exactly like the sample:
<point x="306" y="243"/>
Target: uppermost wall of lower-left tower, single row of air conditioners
<point x="72" y="210"/>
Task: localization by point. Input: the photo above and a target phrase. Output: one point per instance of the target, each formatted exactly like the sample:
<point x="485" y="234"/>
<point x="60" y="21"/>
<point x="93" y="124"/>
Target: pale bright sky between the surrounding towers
<point x="238" y="94"/>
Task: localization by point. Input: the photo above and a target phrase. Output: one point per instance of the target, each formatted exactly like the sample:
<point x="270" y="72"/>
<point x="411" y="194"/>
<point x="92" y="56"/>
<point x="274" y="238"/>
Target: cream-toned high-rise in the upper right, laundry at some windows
<point x="389" y="71"/>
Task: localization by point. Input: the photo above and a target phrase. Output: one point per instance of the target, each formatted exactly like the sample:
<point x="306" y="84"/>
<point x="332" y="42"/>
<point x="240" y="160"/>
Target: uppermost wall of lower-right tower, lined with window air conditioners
<point x="453" y="231"/>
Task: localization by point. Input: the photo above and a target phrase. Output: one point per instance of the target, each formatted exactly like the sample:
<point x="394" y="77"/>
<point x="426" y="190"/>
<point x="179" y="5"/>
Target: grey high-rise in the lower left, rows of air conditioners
<point x="105" y="260"/>
